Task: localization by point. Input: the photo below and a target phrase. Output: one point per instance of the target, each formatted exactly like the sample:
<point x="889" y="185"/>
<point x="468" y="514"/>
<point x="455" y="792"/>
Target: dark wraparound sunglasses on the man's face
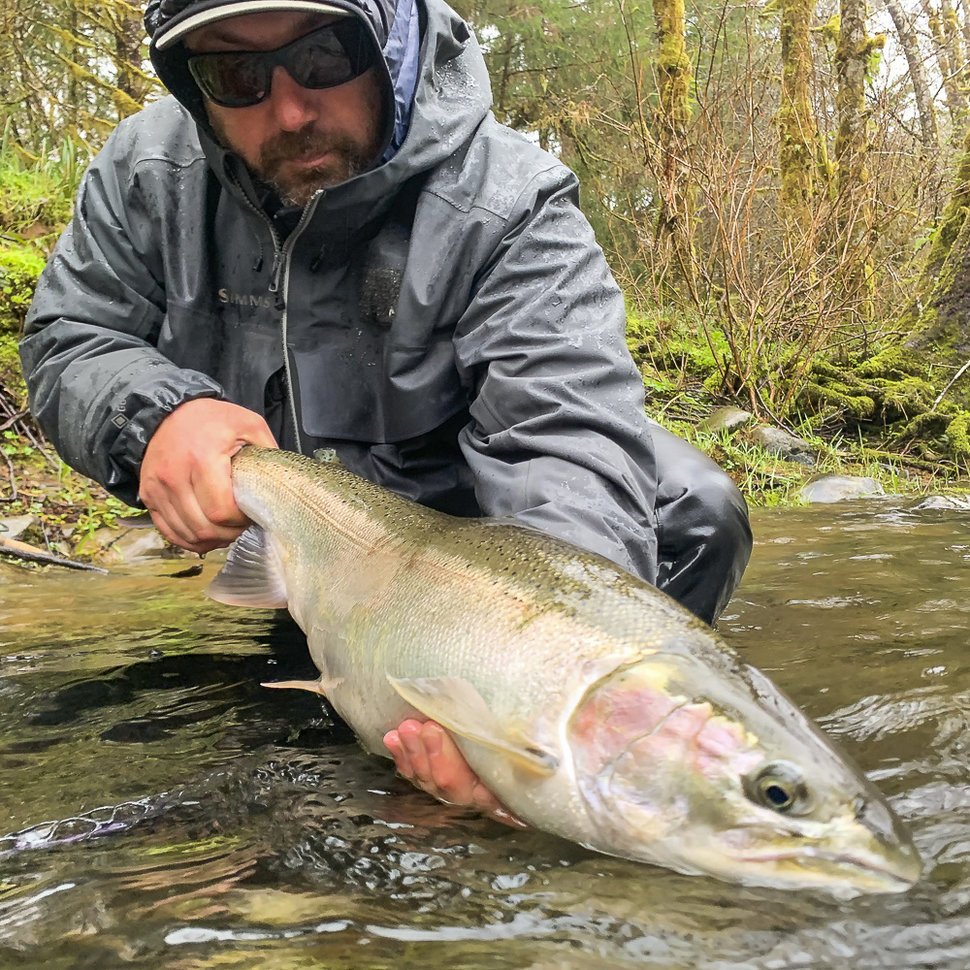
<point x="331" y="55"/>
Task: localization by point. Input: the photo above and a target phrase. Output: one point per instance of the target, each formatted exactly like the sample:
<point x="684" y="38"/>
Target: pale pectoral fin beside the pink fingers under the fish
<point x="456" y="705"/>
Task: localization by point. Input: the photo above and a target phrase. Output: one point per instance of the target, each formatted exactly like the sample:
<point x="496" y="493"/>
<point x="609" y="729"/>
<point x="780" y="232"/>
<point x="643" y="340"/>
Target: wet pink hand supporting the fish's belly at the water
<point x="425" y="754"/>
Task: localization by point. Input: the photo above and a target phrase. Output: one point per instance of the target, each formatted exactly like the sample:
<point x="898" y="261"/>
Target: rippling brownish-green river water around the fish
<point x="159" y="809"/>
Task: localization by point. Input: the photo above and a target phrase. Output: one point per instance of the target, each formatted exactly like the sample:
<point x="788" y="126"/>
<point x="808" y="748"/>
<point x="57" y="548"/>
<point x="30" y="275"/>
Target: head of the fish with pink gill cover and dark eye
<point x="673" y="775"/>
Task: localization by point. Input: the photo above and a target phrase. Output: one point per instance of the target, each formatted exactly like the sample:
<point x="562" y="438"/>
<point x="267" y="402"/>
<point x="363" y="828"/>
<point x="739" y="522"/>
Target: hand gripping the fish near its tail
<point x="185" y="478"/>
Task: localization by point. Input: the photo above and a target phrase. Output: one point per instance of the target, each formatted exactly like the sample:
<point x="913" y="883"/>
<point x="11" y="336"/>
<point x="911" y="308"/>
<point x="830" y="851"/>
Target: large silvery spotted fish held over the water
<point x="591" y="704"/>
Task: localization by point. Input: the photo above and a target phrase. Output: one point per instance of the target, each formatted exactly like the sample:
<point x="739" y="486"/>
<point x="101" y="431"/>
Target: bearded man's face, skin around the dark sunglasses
<point x="298" y="139"/>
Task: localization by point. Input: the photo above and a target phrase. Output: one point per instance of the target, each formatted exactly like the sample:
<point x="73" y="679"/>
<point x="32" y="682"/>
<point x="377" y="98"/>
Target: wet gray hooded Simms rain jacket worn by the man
<point x="445" y="321"/>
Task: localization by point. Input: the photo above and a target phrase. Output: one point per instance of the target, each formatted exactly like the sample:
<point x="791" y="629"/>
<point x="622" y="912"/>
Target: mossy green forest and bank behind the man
<point x="781" y="187"/>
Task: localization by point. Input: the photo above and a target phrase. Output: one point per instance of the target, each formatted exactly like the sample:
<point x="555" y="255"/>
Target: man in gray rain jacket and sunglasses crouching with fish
<point x="325" y="239"/>
